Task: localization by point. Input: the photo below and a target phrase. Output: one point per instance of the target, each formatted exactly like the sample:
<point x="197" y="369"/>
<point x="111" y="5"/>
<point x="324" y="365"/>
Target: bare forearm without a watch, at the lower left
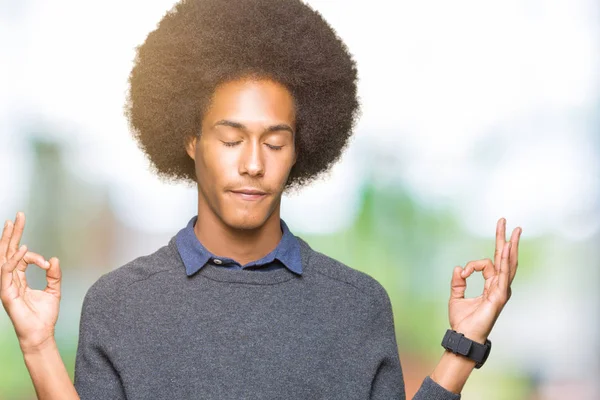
<point x="48" y="373"/>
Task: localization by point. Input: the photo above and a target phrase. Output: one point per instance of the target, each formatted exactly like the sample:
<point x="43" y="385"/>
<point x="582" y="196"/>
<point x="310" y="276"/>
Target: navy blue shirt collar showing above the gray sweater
<point x="195" y="255"/>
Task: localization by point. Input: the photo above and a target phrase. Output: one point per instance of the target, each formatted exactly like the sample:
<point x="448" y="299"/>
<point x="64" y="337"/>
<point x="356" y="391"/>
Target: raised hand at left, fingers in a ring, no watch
<point x="32" y="312"/>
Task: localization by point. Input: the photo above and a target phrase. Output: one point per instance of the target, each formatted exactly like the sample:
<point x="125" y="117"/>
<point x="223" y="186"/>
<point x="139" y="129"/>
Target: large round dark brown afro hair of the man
<point x="200" y="44"/>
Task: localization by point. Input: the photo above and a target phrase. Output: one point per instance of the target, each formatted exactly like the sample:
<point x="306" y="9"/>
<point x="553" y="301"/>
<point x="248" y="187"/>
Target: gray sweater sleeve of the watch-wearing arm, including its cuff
<point x="388" y="382"/>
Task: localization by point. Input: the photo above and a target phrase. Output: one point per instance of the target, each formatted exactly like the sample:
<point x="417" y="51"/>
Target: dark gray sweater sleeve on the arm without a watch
<point x="95" y="374"/>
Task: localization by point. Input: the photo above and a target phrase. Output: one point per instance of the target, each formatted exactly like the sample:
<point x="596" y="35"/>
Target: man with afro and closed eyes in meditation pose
<point x="246" y="99"/>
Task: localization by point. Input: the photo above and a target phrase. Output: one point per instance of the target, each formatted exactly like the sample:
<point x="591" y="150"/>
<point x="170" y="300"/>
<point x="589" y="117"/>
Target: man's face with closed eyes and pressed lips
<point x="245" y="152"/>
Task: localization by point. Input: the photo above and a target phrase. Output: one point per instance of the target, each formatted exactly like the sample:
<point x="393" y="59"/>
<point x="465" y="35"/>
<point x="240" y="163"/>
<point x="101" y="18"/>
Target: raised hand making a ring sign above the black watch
<point x="475" y="317"/>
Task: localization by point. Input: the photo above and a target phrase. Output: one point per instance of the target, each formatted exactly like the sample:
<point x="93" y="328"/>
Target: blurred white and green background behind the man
<point x="471" y="111"/>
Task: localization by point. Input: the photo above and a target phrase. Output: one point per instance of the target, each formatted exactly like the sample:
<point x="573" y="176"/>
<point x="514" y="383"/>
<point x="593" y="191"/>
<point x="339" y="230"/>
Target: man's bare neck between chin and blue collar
<point x="242" y="245"/>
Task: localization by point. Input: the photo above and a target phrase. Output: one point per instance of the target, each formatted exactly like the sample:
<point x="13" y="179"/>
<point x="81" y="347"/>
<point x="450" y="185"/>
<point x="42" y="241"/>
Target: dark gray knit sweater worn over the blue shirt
<point x="149" y="331"/>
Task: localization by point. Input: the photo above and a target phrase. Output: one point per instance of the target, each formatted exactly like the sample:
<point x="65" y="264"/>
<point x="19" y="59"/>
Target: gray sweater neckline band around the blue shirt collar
<point x="221" y="274"/>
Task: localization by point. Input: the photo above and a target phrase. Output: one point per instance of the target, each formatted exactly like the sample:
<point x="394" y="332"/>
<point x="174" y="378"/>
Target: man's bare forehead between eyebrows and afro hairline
<point x="252" y="100"/>
